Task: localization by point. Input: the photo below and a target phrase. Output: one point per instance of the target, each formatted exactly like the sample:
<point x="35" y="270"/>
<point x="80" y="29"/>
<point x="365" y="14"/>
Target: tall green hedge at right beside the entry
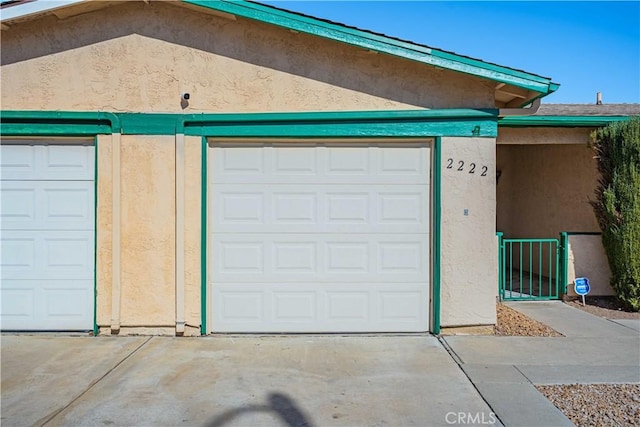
<point x="617" y="205"/>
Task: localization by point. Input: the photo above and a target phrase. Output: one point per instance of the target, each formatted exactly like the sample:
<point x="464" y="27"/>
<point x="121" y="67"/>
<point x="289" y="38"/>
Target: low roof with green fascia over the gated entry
<point x="573" y="115"/>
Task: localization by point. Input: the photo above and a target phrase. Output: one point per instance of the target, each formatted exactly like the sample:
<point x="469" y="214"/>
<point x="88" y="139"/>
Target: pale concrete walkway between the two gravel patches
<point x="505" y="369"/>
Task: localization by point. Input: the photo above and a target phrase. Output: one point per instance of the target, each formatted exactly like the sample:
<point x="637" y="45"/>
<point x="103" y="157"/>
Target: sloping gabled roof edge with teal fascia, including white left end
<point x="514" y="88"/>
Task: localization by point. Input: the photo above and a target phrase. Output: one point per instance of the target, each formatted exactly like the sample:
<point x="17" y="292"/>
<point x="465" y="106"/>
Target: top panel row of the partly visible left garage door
<point x="47" y="162"/>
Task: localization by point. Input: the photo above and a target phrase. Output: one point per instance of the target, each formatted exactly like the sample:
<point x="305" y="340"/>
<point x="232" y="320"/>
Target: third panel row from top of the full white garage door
<point x="298" y="257"/>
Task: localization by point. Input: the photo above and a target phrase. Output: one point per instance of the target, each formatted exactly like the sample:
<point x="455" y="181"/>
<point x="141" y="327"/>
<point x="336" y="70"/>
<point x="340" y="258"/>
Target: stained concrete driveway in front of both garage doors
<point x="232" y="381"/>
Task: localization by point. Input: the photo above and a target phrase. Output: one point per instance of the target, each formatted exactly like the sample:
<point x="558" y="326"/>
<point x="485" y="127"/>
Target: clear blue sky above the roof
<point x="587" y="47"/>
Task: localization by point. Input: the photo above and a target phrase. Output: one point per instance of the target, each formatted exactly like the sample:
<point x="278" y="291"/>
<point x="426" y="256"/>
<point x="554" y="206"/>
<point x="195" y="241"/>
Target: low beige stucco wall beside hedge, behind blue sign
<point x="587" y="258"/>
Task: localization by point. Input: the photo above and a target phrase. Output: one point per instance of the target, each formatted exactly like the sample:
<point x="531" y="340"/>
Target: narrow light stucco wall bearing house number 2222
<point x="469" y="273"/>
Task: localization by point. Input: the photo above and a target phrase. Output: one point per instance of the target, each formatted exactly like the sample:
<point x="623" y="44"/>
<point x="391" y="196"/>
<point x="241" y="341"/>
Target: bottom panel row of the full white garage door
<point x="335" y="307"/>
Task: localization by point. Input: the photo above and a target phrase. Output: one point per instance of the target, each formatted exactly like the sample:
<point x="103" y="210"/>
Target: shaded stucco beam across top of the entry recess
<point x="544" y="135"/>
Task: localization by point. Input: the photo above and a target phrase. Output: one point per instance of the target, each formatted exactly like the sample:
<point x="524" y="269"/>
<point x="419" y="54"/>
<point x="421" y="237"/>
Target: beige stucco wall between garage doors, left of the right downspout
<point x="147" y="221"/>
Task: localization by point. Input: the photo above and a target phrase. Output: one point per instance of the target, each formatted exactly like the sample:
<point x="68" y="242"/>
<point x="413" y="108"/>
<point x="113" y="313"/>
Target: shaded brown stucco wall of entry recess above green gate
<point x="545" y="189"/>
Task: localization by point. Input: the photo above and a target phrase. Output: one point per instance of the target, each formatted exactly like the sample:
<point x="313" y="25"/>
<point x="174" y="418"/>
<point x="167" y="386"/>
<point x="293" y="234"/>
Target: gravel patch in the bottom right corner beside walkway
<point x="597" y="404"/>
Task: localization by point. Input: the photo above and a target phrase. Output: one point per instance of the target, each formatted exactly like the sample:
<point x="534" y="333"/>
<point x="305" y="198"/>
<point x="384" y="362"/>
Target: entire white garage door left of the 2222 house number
<point x="320" y="238"/>
